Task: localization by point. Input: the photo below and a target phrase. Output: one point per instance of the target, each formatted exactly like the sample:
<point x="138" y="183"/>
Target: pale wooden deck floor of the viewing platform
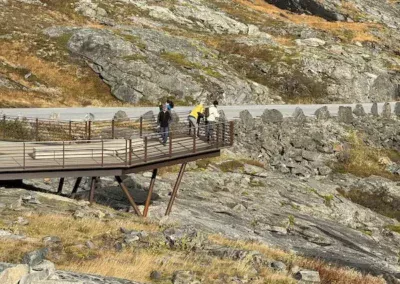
<point x="14" y="157"/>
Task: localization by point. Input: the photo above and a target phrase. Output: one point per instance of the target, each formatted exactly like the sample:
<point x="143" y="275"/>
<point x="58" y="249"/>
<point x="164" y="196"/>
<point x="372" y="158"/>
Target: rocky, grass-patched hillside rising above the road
<point x="240" y="52"/>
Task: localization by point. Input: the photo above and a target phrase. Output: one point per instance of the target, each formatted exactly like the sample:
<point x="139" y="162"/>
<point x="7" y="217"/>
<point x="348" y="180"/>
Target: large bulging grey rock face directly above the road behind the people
<point x="141" y="64"/>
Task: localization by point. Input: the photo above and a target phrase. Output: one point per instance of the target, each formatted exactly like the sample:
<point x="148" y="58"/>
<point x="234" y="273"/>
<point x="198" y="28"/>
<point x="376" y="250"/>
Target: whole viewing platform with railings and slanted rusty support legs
<point x="139" y="150"/>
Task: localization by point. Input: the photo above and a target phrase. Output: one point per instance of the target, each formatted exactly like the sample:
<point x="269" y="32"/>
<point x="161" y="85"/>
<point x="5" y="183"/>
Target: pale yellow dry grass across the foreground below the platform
<point x="137" y="263"/>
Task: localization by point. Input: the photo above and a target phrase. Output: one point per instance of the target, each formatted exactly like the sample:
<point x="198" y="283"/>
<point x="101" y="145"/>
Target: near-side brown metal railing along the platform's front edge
<point x="102" y="153"/>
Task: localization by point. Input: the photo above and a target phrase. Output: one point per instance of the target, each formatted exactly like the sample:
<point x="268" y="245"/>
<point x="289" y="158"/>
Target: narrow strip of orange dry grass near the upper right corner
<point x="359" y="31"/>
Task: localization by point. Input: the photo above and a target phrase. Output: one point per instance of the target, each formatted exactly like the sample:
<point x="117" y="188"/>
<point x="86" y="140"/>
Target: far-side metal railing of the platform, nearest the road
<point x="14" y="128"/>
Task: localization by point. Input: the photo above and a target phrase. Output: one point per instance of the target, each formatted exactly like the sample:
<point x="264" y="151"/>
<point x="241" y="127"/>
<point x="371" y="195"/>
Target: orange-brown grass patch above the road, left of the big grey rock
<point x="71" y="89"/>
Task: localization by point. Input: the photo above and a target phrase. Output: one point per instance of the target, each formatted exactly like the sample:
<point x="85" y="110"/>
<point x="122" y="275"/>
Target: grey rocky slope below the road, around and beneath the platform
<point x="323" y="188"/>
